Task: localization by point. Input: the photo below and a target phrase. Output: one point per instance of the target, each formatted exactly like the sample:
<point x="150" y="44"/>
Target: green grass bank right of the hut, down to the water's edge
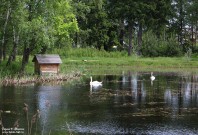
<point x="95" y="65"/>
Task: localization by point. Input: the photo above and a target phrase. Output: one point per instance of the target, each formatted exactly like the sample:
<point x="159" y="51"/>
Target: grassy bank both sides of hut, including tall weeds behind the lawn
<point x="87" y="60"/>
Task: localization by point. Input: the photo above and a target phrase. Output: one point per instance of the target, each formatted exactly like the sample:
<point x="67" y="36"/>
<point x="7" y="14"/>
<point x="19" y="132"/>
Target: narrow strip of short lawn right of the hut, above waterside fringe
<point x="165" y="62"/>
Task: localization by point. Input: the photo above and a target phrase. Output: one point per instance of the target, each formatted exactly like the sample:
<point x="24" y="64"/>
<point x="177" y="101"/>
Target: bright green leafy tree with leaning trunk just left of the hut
<point x="48" y="23"/>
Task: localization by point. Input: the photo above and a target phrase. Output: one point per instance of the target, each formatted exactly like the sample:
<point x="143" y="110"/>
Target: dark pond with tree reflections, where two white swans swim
<point x="127" y="103"/>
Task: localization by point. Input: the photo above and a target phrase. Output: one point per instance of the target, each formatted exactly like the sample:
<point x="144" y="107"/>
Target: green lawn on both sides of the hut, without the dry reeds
<point x="75" y="63"/>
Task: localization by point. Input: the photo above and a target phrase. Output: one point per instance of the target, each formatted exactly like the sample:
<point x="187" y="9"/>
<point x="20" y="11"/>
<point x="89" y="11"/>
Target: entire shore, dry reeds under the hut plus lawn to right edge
<point x="76" y="66"/>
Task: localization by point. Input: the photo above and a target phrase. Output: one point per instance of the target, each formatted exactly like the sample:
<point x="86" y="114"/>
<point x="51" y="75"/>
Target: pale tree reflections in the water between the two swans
<point x="128" y="89"/>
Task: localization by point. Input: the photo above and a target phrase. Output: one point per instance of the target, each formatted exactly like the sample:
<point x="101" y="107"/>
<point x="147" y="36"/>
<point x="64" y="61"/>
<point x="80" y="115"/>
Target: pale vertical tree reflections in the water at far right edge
<point x="184" y="96"/>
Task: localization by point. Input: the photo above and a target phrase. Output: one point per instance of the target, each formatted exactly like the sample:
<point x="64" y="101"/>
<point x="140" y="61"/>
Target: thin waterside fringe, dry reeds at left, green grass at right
<point x="92" y="69"/>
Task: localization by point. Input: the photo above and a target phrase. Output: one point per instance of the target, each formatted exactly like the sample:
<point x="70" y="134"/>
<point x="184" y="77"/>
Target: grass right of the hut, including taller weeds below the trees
<point x="93" y="57"/>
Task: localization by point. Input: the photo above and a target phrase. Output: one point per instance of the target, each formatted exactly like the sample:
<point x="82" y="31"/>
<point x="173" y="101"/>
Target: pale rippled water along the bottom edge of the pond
<point x="109" y="128"/>
